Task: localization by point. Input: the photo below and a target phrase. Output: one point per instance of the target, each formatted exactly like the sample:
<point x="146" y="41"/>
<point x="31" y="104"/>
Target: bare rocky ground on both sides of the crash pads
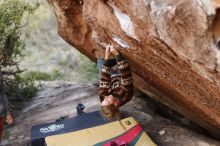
<point x="59" y="98"/>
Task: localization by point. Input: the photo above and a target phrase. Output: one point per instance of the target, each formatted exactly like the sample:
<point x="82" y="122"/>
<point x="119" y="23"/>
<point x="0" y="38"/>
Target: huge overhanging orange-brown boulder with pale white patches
<point x="171" y="46"/>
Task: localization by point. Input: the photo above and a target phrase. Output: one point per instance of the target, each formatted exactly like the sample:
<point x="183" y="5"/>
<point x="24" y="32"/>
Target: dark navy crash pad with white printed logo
<point x="88" y="120"/>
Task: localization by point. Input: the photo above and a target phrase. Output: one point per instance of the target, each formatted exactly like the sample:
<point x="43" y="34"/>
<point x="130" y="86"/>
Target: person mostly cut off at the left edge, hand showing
<point x="4" y="110"/>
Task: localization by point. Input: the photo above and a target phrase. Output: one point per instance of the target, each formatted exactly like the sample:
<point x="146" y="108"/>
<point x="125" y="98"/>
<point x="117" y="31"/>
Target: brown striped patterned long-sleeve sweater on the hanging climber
<point x="119" y="86"/>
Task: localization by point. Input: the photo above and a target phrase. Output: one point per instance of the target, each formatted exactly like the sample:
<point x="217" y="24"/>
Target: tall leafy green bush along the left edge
<point x="14" y="16"/>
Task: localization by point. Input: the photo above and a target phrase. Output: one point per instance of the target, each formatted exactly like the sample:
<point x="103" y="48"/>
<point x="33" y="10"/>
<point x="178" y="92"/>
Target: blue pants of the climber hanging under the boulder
<point x="100" y="62"/>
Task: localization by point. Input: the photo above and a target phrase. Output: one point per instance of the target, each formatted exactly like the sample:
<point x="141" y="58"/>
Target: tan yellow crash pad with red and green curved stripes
<point x="127" y="130"/>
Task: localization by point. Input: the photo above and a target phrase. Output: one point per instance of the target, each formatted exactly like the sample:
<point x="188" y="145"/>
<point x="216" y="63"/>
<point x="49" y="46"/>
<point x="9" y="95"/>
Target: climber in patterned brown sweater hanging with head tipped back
<point x="116" y="85"/>
